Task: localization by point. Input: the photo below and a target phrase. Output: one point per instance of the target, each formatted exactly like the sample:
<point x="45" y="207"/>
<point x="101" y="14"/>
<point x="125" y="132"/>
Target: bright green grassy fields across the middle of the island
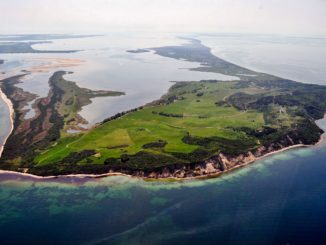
<point x="193" y="111"/>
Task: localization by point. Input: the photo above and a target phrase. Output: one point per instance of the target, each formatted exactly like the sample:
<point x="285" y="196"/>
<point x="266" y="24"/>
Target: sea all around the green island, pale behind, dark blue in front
<point x="280" y="199"/>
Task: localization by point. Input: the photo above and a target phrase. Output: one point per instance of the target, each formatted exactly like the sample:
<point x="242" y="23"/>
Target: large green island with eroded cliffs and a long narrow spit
<point x="198" y="128"/>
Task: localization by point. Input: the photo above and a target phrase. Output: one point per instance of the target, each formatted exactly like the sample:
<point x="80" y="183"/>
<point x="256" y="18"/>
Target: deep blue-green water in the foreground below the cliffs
<point x="278" y="200"/>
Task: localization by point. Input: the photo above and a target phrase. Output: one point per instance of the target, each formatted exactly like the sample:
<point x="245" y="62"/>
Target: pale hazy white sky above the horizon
<point x="290" y="17"/>
